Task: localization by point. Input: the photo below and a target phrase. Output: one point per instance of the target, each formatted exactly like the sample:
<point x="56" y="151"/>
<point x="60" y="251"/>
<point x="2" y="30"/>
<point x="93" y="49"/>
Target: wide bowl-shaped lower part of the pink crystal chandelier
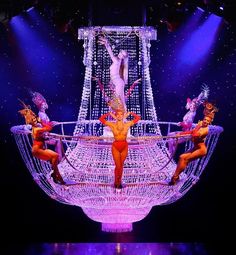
<point x="89" y="167"/>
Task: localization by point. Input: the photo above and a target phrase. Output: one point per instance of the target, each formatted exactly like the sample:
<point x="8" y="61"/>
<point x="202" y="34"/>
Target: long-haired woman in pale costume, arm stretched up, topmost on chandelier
<point x="118" y="70"/>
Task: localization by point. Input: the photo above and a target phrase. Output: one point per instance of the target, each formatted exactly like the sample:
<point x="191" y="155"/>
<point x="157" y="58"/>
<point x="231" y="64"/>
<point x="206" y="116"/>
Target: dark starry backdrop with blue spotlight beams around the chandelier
<point x="38" y="53"/>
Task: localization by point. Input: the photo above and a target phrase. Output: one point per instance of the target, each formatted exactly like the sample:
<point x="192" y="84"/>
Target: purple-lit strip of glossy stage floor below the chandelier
<point x="123" y="248"/>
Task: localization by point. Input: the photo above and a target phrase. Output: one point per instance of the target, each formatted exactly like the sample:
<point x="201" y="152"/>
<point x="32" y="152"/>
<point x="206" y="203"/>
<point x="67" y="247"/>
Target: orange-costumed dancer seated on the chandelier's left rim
<point x="39" y="128"/>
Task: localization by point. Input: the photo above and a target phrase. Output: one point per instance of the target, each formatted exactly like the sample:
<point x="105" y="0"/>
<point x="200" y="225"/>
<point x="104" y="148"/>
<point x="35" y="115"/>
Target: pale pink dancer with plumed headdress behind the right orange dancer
<point x="188" y="119"/>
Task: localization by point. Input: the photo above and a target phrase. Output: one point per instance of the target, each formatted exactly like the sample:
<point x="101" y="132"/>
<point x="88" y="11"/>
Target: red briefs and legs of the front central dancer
<point x="119" y="153"/>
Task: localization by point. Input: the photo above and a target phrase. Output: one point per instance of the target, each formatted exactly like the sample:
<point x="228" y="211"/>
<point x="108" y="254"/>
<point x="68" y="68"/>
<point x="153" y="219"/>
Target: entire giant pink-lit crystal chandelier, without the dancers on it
<point x="88" y="166"/>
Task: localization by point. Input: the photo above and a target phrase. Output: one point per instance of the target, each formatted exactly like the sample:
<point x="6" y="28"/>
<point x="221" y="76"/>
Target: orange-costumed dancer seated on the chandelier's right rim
<point x="198" y="137"/>
